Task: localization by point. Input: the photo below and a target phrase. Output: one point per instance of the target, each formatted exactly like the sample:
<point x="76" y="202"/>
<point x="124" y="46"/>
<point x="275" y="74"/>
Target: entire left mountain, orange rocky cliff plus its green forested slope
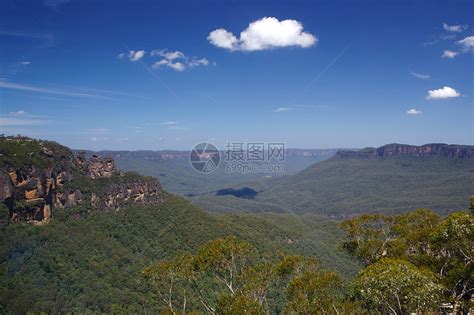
<point x="76" y="233"/>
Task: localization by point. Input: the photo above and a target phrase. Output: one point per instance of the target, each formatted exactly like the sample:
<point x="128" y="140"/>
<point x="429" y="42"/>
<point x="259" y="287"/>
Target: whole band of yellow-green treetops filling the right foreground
<point x="415" y="263"/>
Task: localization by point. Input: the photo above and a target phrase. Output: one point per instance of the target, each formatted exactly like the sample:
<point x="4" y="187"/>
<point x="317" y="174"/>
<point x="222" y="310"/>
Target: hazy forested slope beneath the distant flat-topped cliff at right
<point x="344" y="187"/>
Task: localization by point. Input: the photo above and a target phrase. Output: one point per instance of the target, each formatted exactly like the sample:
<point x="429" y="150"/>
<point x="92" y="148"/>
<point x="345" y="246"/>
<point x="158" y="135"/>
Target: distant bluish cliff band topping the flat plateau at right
<point x="433" y="149"/>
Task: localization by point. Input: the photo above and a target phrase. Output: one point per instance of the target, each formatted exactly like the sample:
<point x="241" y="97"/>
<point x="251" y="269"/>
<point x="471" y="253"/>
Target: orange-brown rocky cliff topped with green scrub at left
<point x="40" y="177"/>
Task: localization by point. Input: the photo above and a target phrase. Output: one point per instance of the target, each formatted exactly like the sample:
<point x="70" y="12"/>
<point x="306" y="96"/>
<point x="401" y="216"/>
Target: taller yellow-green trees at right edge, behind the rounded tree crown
<point x="443" y="246"/>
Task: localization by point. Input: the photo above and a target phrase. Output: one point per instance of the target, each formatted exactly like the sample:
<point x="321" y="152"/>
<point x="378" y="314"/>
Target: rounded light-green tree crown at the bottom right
<point x="398" y="287"/>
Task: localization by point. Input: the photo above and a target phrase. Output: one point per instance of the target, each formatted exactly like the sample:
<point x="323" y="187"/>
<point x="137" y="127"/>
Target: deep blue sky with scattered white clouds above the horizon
<point x="133" y="75"/>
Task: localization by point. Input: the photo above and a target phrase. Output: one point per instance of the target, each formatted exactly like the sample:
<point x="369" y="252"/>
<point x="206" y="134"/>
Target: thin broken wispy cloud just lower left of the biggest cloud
<point x="170" y="59"/>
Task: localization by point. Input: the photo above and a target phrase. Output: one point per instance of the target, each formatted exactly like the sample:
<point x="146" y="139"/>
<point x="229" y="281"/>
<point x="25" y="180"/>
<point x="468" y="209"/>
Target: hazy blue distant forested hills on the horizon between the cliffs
<point x="176" y="174"/>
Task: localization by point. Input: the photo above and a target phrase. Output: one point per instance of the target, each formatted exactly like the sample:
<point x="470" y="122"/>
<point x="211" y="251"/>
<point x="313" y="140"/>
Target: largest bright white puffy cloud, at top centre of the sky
<point x="266" y="33"/>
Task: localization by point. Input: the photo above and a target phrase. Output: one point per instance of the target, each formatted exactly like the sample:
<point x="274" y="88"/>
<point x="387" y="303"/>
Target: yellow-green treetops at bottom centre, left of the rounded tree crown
<point x="228" y="276"/>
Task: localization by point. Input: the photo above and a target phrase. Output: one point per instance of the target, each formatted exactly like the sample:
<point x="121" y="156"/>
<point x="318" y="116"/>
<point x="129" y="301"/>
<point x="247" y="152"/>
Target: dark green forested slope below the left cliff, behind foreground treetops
<point x="91" y="261"/>
